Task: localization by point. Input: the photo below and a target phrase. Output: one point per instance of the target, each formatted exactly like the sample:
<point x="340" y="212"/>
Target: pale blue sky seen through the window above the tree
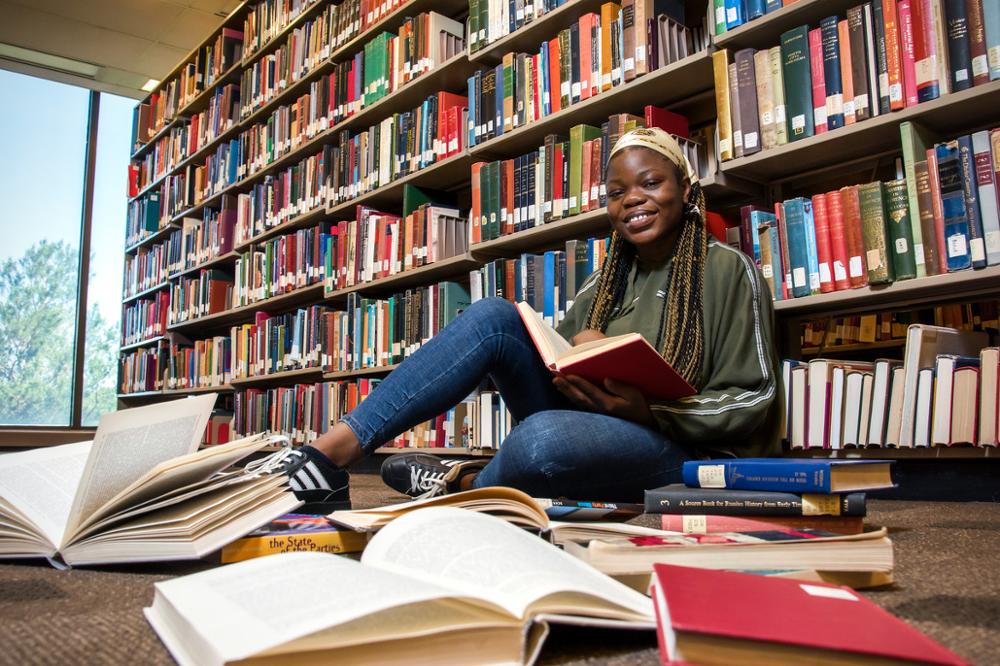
<point x="43" y="138"/>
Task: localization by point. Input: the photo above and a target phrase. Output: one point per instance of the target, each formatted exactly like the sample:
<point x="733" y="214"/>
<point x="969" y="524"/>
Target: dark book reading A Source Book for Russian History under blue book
<point x="678" y="500"/>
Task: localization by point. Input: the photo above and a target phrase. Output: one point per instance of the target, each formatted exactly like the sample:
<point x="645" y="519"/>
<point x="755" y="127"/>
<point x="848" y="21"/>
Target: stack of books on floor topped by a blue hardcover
<point x="785" y="517"/>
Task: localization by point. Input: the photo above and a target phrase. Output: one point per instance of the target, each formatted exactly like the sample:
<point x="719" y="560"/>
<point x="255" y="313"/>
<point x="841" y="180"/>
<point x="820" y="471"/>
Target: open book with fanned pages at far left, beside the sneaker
<point x="140" y="491"/>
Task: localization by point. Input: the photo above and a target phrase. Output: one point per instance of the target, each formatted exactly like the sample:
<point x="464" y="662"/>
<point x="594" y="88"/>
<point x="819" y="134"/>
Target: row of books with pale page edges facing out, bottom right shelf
<point x="944" y="393"/>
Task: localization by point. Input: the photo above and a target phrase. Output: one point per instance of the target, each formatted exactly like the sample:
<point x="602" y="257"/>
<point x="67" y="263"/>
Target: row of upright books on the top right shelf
<point x="883" y="57"/>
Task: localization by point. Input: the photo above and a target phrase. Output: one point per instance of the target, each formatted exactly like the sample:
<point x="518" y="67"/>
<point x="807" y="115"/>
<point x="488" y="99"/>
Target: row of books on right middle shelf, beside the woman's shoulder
<point x="861" y="235"/>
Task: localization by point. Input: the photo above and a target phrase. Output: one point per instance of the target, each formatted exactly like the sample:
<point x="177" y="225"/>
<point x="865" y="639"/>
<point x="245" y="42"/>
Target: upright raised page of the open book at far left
<point x="131" y="442"/>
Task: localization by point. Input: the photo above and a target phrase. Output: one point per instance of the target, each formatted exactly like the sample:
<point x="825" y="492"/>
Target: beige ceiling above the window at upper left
<point x="125" y="42"/>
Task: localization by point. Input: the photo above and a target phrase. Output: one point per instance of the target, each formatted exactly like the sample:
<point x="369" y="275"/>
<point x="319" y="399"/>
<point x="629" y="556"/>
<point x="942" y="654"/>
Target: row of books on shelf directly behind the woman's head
<point x="562" y="177"/>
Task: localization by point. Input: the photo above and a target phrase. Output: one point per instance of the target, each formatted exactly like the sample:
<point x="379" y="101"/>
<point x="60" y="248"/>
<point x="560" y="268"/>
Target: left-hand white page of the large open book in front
<point x="246" y="608"/>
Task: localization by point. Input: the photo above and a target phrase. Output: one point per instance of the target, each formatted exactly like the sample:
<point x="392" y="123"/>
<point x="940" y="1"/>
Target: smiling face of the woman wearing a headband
<point x="646" y="200"/>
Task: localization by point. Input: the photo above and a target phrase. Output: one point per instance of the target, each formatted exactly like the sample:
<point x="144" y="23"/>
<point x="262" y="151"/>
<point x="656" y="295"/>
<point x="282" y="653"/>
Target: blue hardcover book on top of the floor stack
<point x="801" y="475"/>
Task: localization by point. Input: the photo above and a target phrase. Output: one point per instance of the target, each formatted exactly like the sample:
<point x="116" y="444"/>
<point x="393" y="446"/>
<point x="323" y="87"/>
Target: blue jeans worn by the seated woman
<point x="555" y="450"/>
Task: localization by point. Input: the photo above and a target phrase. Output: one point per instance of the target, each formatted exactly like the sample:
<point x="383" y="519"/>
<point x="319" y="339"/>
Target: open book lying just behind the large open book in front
<point x="509" y="504"/>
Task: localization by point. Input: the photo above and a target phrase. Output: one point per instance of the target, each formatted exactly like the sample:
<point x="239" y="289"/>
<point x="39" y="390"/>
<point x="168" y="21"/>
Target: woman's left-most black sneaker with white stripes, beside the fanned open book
<point x="315" y="480"/>
